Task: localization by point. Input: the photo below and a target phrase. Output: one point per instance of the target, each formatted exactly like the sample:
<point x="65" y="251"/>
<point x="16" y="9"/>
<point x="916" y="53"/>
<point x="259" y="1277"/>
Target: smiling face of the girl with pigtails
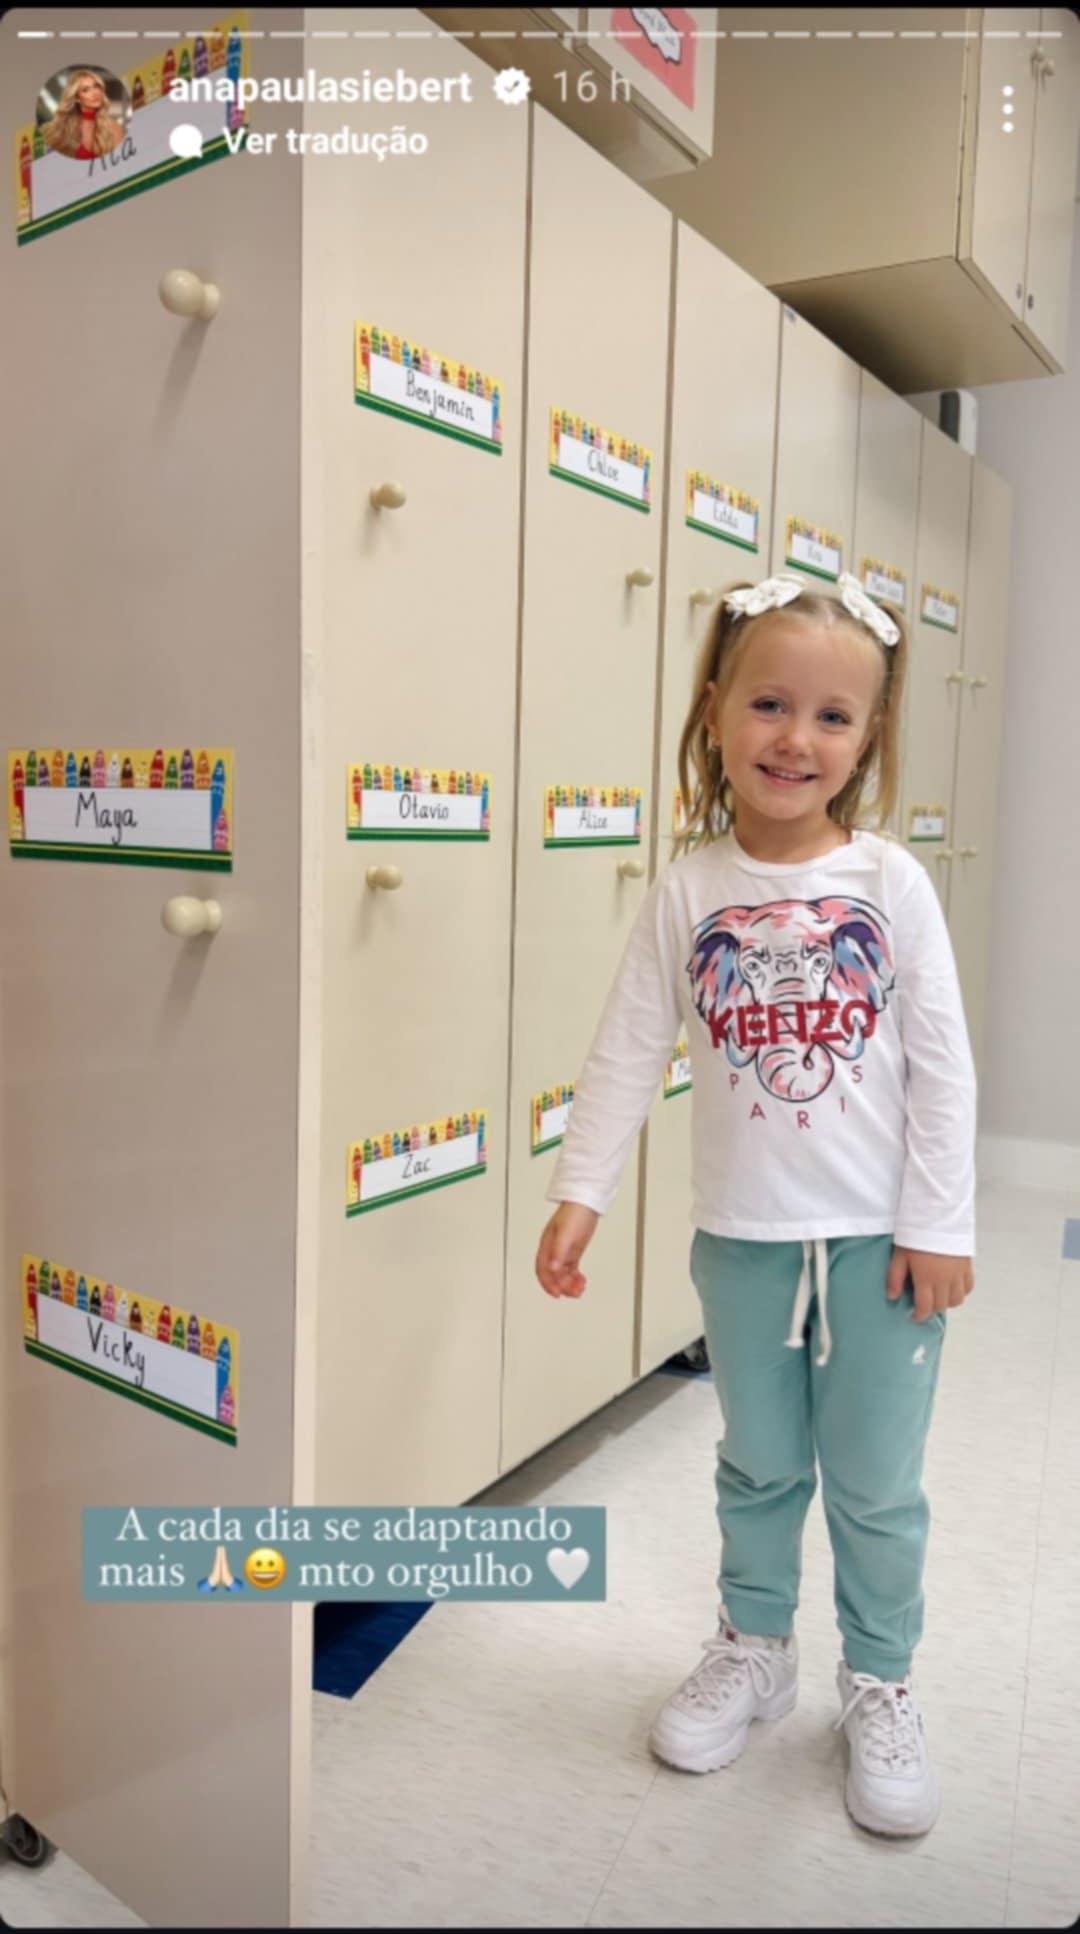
<point x="802" y="703"/>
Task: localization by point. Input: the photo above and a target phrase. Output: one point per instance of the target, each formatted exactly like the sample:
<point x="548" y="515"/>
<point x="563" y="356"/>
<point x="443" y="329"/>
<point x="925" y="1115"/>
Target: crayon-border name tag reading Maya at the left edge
<point x="144" y="806"/>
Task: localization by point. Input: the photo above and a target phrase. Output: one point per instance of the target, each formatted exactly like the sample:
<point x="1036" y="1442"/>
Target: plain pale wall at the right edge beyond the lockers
<point x="1031" y="1092"/>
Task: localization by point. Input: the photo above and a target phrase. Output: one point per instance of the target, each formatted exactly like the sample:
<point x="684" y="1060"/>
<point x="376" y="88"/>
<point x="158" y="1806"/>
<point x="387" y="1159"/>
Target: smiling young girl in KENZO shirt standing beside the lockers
<point x="833" y="1123"/>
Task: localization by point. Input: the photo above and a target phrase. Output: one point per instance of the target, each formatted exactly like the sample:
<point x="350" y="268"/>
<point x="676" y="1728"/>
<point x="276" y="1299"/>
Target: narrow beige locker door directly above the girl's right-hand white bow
<point x="885" y="506"/>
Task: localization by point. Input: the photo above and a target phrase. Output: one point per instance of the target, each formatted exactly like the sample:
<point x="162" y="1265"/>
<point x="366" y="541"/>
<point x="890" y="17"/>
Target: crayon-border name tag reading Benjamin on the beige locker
<point x="425" y="388"/>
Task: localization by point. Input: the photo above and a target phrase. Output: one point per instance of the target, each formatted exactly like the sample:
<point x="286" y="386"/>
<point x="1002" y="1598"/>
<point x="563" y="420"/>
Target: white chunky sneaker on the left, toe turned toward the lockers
<point x="705" y="1724"/>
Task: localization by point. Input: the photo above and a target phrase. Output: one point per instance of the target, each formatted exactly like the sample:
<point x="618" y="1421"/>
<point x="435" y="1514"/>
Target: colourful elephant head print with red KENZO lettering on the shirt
<point x="791" y="985"/>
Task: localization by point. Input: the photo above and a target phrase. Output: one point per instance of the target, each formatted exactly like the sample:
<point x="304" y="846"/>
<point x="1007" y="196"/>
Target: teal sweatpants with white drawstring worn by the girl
<point x="866" y="1417"/>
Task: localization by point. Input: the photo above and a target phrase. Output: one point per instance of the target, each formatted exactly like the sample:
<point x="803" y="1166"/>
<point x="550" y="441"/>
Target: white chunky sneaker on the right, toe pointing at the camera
<point x="891" y="1786"/>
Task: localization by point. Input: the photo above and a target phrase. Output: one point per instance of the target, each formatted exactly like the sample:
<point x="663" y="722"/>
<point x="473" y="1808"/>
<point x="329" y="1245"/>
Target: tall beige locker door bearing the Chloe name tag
<point x="599" y="293"/>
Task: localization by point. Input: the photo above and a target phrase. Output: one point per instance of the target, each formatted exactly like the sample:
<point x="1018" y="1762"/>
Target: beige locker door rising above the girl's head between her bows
<point x="816" y="450"/>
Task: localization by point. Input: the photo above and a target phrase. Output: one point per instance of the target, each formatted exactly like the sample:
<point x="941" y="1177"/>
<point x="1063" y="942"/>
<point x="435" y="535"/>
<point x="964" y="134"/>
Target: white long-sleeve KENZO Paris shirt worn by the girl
<point x="833" y="1076"/>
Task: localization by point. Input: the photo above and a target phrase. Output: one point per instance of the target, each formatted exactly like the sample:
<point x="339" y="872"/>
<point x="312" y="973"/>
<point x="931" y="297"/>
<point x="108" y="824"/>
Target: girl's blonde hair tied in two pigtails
<point x="876" y="782"/>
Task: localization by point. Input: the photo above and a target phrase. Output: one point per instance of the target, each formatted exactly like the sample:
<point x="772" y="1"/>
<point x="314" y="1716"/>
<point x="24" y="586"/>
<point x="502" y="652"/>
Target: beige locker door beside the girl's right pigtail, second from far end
<point x="938" y="653"/>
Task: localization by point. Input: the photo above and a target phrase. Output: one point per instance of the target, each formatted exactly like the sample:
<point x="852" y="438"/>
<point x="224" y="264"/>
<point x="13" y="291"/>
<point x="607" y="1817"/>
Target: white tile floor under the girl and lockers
<point x="496" y="1769"/>
